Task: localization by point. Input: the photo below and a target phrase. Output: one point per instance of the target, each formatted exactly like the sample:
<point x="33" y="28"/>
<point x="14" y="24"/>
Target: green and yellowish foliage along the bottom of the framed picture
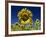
<point x="17" y="27"/>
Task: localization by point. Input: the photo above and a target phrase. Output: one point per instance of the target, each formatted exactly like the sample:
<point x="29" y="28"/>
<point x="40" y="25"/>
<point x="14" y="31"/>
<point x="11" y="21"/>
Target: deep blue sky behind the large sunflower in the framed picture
<point x="36" y="11"/>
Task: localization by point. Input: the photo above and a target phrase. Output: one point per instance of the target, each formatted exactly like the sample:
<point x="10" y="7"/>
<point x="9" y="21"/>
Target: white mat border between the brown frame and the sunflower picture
<point x="22" y="32"/>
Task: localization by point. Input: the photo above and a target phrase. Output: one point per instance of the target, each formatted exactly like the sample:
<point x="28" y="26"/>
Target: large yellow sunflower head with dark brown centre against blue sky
<point x="25" y="16"/>
